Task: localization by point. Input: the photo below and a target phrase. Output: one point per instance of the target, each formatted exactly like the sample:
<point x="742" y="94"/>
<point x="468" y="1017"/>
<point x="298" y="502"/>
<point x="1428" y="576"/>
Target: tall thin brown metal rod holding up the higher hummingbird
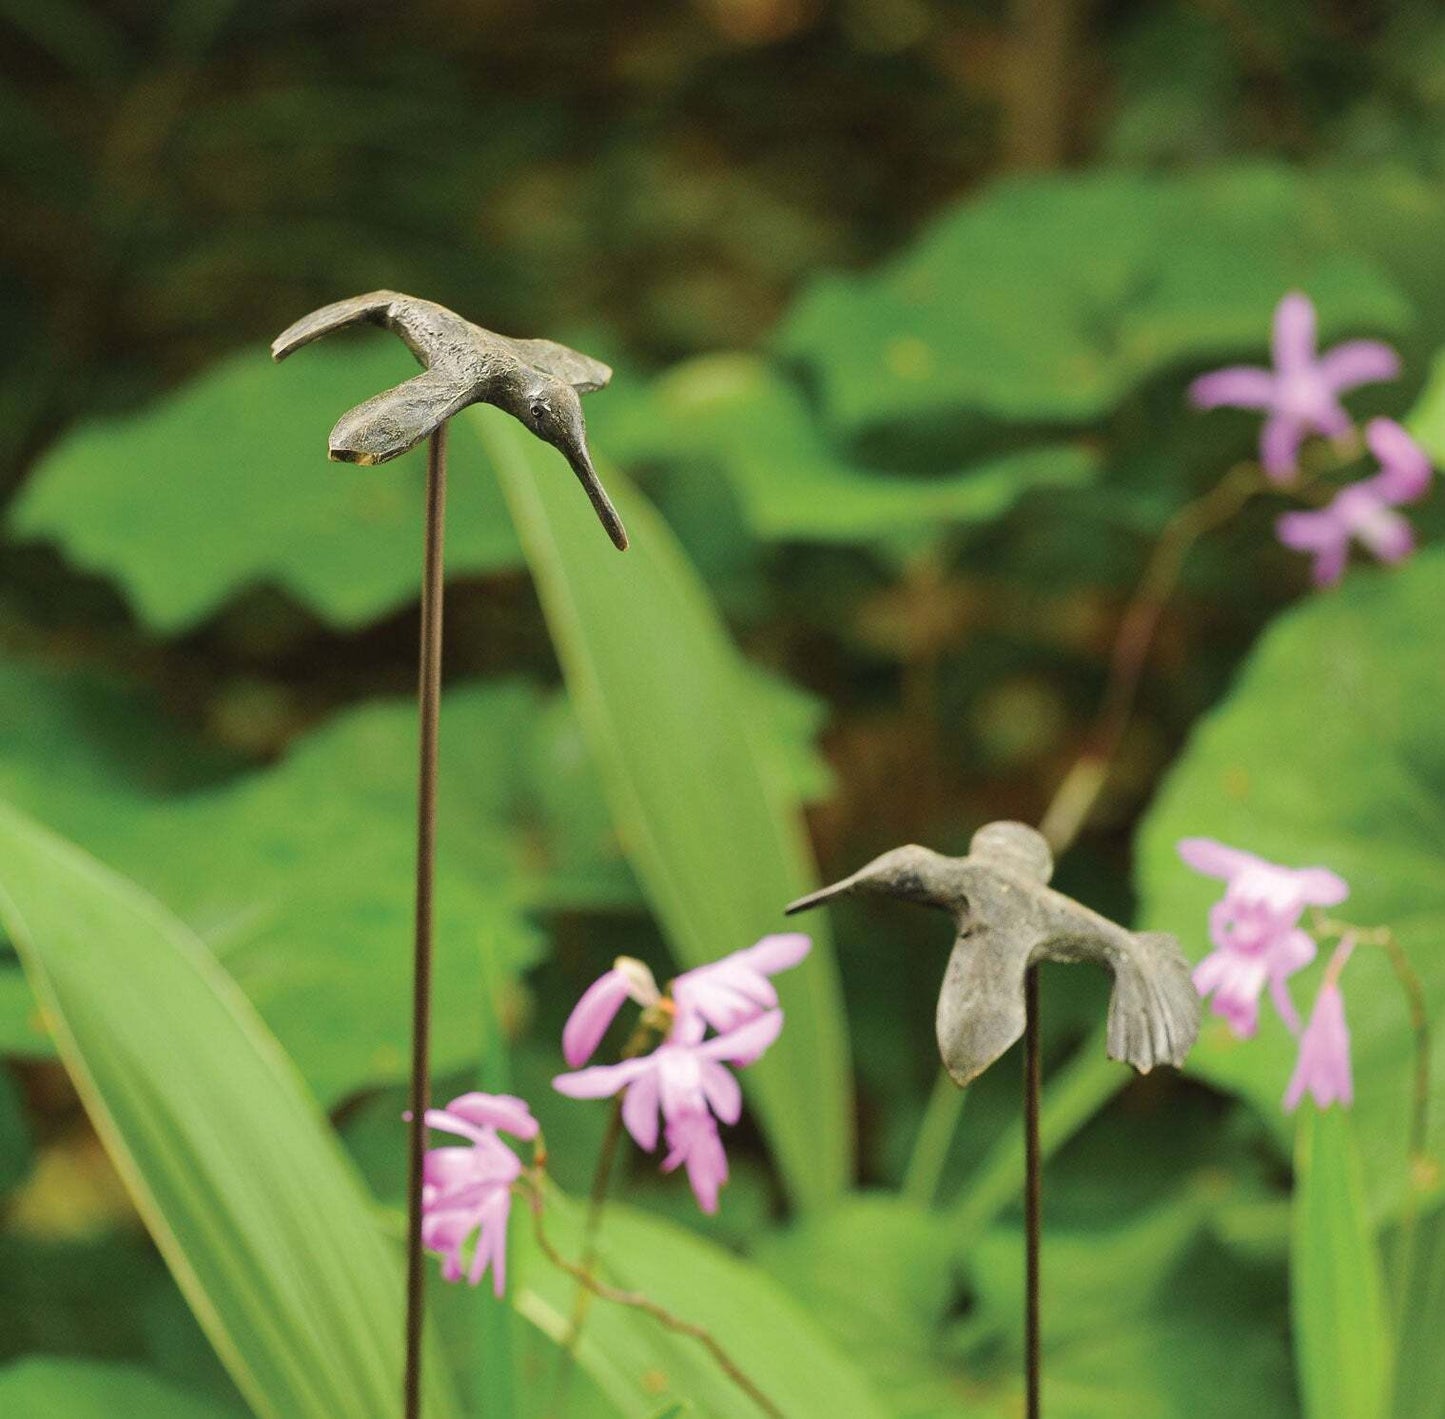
<point x="428" y="699"/>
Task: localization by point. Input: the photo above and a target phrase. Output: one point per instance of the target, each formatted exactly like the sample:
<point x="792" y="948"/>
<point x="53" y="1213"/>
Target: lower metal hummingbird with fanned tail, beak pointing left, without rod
<point x="1009" y="920"/>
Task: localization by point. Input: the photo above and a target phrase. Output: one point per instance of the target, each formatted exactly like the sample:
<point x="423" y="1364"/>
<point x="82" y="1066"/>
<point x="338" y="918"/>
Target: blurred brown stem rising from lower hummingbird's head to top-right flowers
<point x="1077" y="795"/>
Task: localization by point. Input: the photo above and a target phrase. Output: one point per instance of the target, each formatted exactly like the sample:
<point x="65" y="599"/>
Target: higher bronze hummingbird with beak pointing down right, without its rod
<point x="537" y="382"/>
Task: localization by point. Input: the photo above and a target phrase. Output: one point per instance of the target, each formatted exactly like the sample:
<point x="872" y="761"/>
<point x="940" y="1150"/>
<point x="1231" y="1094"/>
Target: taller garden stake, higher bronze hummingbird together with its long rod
<point x="537" y="382"/>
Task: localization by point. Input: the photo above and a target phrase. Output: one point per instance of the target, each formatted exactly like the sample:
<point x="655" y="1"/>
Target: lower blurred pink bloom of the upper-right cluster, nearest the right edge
<point x="1365" y="512"/>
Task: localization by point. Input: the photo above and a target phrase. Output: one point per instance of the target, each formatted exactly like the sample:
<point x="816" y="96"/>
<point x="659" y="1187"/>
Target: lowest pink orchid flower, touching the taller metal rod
<point x="467" y="1191"/>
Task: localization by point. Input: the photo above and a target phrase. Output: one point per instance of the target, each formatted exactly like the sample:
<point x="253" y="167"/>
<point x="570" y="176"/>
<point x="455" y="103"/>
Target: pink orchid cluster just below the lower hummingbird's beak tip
<point x="684" y="1086"/>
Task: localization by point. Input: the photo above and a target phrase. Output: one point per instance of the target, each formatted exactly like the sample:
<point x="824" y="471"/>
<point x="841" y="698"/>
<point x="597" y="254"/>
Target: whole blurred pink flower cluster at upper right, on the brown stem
<point x="1301" y="395"/>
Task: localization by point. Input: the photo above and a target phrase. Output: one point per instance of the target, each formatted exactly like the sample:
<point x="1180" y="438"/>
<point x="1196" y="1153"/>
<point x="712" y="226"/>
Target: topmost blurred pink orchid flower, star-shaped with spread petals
<point x="1301" y="394"/>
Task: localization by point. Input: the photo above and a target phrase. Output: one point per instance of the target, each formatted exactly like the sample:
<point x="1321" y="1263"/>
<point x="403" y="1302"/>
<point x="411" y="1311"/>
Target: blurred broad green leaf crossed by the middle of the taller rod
<point x="300" y="876"/>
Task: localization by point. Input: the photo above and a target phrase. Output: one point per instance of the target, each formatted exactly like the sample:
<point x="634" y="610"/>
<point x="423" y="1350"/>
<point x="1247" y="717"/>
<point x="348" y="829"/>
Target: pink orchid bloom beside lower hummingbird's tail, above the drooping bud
<point x="1256" y="930"/>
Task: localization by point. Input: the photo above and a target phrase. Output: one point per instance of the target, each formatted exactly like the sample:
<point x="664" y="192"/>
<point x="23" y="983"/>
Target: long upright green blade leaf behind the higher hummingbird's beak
<point x="715" y="836"/>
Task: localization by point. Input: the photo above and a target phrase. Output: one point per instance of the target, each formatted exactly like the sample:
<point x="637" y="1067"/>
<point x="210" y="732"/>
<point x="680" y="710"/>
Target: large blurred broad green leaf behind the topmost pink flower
<point x="1050" y="300"/>
